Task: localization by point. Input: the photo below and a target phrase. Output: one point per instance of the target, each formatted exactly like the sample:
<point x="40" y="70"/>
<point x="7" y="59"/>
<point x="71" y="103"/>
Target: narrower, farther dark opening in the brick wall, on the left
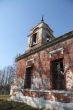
<point x="27" y="82"/>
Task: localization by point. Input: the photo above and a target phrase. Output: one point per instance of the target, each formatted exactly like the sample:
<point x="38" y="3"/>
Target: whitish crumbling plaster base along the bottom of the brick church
<point x="41" y="103"/>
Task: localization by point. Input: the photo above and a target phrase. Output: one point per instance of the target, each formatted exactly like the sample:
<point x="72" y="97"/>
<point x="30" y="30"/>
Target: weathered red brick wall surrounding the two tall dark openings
<point x="41" y="74"/>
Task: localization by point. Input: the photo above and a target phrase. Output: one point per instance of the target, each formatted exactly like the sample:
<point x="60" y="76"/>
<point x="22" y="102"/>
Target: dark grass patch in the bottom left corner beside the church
<point x="11" y="105"/>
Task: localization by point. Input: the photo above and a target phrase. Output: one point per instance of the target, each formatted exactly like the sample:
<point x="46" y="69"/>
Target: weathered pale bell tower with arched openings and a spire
<point x="39" y="35"/>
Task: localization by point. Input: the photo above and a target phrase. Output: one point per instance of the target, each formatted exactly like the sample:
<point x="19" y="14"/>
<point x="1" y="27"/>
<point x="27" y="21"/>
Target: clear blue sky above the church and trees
<point x="17" y="17"/>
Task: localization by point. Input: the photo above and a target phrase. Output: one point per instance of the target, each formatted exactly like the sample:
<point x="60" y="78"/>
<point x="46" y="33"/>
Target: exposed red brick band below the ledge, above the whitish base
<point x="54" y="95"/>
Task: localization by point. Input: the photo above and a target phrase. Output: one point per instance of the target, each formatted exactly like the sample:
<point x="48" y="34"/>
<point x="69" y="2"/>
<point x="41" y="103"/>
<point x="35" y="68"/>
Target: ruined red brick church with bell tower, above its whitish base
<point x="47" y="65"/>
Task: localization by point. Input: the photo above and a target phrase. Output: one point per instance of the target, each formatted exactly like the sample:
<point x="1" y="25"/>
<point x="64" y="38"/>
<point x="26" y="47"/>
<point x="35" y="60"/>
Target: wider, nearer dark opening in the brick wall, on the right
<point x="57" y="75"/>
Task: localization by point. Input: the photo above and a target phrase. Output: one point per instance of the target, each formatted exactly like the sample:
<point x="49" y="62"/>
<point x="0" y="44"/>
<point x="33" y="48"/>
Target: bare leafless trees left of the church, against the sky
<point x="7" y="75"/>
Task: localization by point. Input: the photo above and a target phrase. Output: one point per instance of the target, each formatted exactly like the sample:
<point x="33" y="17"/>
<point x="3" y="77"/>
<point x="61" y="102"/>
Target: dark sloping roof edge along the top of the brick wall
<point x="51" y="43"/>
